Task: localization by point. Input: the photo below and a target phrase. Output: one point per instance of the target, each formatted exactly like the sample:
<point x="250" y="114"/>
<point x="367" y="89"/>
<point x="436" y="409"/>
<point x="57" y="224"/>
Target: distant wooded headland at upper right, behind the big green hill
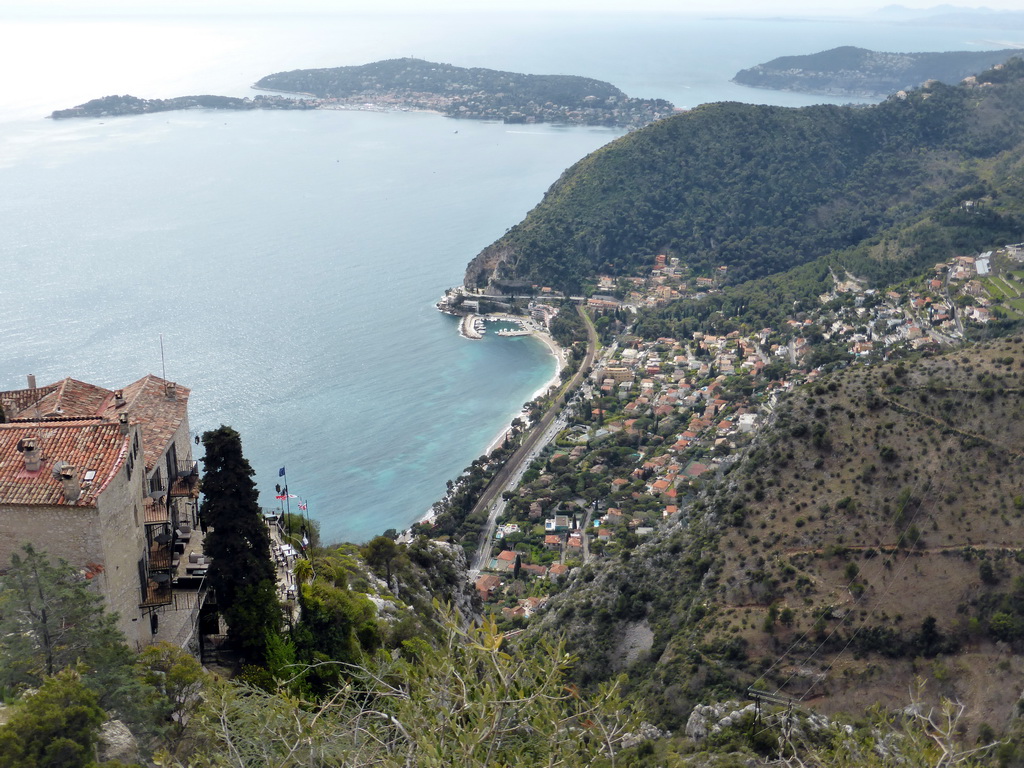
<point x="859" y="72"/>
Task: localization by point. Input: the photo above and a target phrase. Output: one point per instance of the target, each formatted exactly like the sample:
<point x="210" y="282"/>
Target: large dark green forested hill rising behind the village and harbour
<point x="761" y="190"/>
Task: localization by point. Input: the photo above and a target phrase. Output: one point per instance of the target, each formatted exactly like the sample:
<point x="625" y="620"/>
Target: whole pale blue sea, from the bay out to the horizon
<point x="284" y="267"/>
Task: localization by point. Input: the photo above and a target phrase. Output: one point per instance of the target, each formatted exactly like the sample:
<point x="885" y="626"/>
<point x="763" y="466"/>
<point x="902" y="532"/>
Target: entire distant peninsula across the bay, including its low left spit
<point x="411" y="84"/>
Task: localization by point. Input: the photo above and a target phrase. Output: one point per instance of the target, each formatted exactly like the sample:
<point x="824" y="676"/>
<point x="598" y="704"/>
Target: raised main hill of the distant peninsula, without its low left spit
<point x="473" y="94"/>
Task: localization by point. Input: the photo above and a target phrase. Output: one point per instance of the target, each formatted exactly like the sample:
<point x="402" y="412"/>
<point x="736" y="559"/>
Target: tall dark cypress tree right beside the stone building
<point x="242" y="573"/>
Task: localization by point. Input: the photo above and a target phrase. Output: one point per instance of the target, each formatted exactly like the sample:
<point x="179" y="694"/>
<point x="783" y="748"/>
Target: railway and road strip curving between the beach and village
<point x="552" y="422"/>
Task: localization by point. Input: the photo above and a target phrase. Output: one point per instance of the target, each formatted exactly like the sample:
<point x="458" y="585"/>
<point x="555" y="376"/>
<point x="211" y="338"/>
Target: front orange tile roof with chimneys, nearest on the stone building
<point x="90" y="447"/>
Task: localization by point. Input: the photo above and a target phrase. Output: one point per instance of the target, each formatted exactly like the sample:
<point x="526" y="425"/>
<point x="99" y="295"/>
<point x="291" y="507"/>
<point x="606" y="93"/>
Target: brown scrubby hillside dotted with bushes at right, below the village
<point x="871" y="536"/>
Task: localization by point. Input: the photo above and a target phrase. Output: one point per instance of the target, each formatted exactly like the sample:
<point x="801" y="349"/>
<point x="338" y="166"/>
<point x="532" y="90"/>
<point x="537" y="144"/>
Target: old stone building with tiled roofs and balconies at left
<point x="106" y="481"/>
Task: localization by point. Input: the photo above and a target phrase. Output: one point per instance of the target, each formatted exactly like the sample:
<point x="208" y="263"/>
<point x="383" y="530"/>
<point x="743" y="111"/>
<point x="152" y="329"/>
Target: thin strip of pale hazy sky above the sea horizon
<point x="717" y="8"/>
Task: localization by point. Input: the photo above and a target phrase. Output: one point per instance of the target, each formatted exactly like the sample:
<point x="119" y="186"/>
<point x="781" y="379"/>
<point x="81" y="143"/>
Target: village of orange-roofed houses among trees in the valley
<point x="659" y="415"/>
